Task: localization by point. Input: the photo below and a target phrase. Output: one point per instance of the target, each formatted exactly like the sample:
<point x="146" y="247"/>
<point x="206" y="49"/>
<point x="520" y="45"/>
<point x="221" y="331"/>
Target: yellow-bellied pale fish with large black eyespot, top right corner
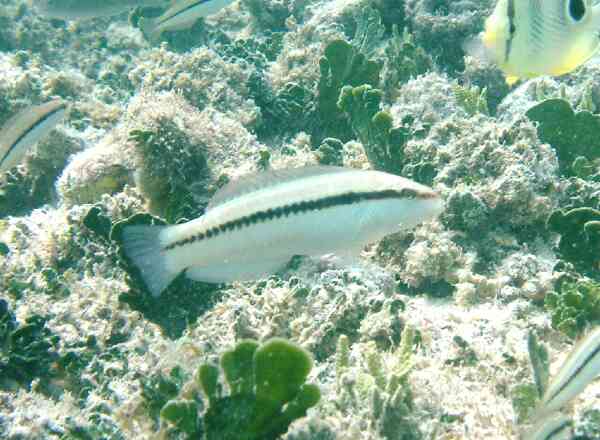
<point x="529" y="38"/>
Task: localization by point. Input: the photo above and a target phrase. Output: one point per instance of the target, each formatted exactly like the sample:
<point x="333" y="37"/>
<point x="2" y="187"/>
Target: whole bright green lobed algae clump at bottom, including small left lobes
<point x="267" y="392"/>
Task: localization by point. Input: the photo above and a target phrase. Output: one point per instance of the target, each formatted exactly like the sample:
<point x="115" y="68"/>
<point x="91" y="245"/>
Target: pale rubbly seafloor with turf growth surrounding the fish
<point x="472" y="282"/>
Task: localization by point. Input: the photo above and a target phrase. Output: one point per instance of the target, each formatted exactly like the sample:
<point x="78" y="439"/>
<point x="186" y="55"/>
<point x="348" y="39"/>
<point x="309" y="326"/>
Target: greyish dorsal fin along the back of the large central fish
<point x="254" y="182"/>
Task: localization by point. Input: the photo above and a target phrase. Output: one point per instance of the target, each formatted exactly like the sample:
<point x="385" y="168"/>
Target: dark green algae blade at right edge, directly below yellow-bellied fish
<point x="575" y="136"/>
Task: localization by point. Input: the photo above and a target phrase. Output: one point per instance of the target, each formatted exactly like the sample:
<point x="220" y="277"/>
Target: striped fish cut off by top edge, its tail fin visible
<point x="182" y="15"/>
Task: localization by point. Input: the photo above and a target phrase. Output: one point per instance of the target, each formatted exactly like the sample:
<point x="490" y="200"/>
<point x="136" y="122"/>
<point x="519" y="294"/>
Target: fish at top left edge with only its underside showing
<point x="81" y="9"/>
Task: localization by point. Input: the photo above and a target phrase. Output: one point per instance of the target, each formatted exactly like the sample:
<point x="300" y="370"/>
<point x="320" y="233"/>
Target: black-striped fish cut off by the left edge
<point x="24" y="130"/>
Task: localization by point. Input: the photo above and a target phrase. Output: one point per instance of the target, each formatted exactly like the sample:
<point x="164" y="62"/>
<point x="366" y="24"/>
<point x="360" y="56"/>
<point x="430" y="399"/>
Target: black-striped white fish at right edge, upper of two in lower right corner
<point x="579" y="369"/>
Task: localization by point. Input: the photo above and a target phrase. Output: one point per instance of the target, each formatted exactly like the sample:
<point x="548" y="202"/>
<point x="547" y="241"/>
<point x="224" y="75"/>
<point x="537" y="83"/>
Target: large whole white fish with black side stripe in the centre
<point x="254" y="226"/>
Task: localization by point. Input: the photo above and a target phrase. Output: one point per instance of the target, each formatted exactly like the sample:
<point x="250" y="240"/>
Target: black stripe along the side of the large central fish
<point x="297" y="208"/>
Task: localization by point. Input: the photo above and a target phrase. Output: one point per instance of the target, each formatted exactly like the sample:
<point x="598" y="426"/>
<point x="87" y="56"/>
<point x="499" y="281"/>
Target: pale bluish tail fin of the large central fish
<point x="143" y="246"/>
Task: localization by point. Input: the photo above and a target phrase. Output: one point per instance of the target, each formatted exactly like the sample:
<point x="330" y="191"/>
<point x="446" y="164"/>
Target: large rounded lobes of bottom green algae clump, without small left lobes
<point x="266" y="391"/>
